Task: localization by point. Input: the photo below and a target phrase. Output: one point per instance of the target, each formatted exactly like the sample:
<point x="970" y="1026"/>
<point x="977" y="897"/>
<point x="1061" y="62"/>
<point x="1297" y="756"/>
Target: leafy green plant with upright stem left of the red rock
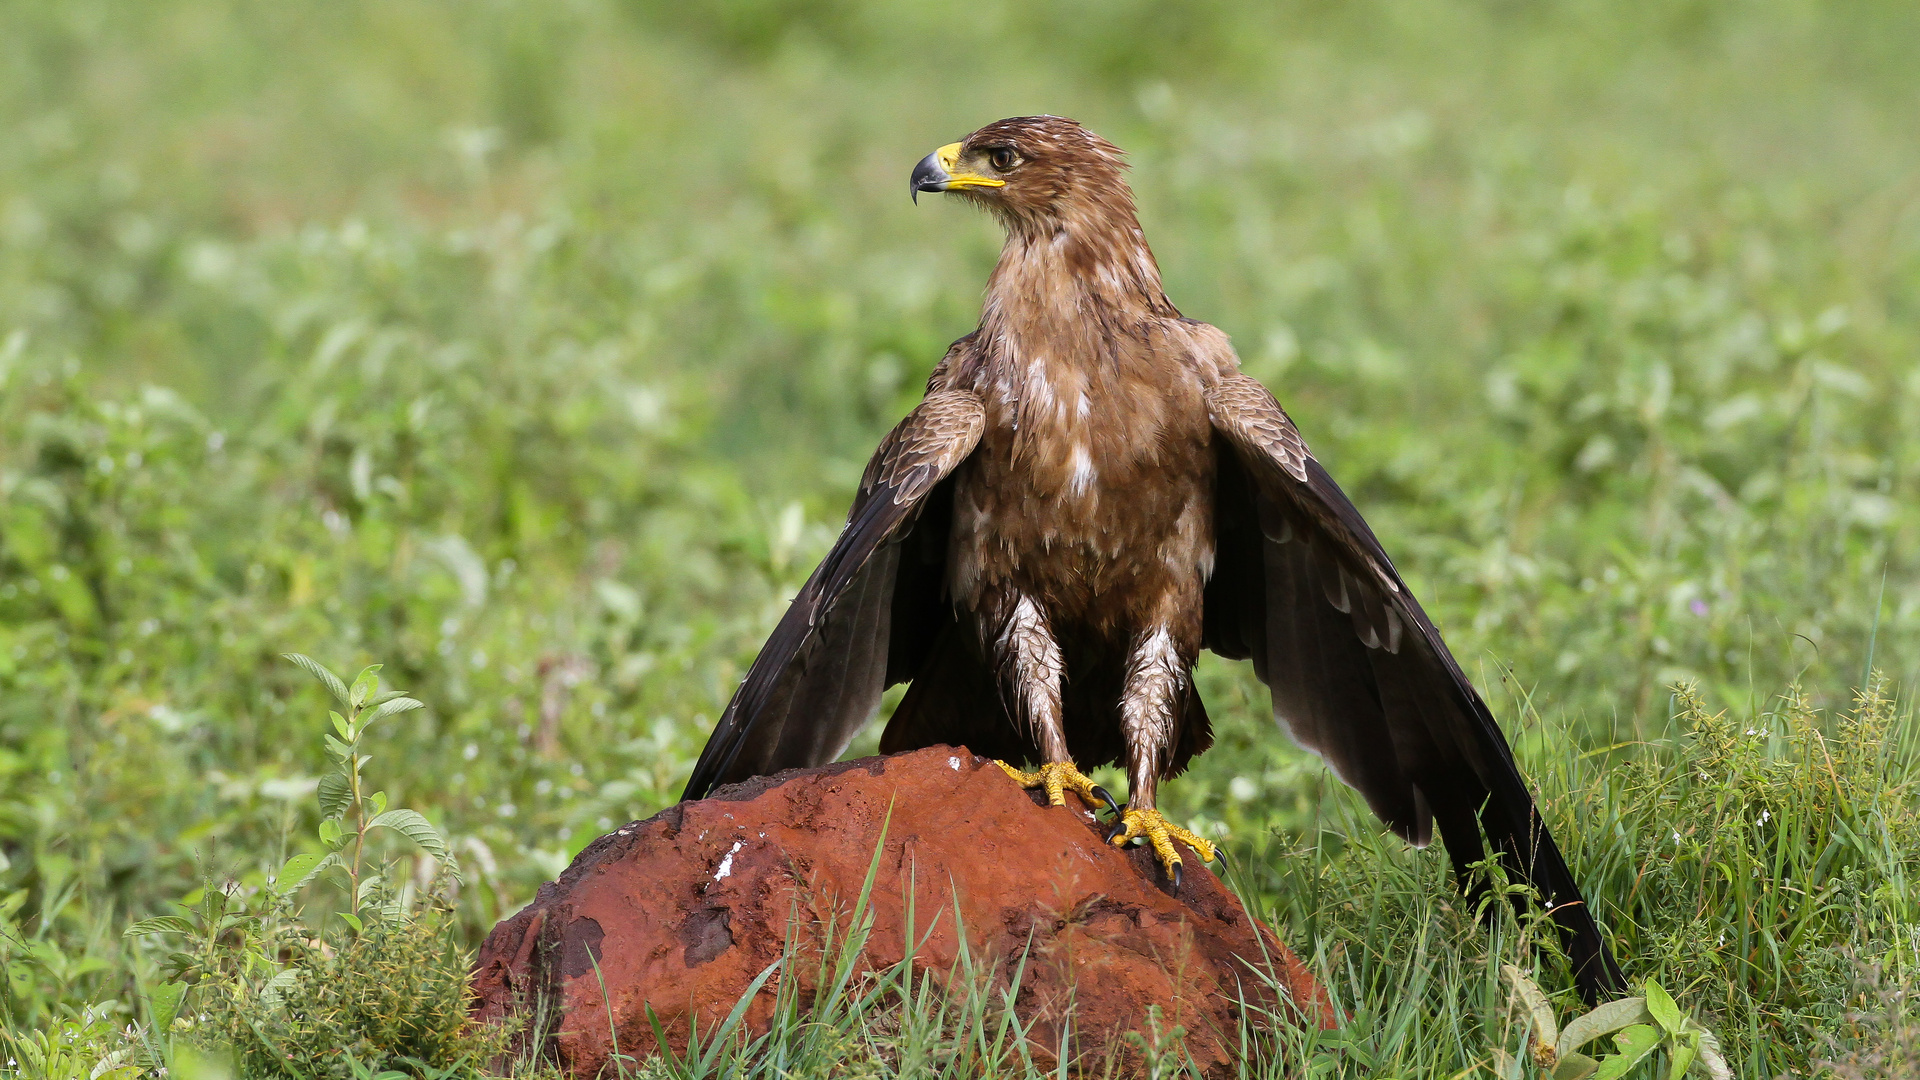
<point x="385" y="1000"/>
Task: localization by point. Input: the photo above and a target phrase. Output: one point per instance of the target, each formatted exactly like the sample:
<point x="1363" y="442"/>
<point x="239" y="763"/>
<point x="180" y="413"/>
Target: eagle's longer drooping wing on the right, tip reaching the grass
<point x="1358" y="672"/>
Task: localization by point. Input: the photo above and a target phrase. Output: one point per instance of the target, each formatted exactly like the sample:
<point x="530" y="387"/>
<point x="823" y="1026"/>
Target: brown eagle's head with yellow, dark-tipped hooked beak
<point x="1036" y="172"/>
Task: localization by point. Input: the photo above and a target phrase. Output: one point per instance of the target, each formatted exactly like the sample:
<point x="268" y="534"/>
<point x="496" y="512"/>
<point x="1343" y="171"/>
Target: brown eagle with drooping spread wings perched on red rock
<point x="1088" y="497"/>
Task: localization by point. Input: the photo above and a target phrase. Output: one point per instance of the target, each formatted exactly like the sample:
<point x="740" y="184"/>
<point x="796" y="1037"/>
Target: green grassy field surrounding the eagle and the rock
<point x="533" y="353"/>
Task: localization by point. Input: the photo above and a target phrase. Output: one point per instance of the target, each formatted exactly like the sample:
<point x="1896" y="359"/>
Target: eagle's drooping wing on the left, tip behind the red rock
<point x="821" y="674"/>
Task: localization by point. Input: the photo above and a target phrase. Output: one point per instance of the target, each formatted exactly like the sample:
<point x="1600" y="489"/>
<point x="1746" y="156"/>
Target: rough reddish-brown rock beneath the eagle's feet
<point x="684" y="910"/>
